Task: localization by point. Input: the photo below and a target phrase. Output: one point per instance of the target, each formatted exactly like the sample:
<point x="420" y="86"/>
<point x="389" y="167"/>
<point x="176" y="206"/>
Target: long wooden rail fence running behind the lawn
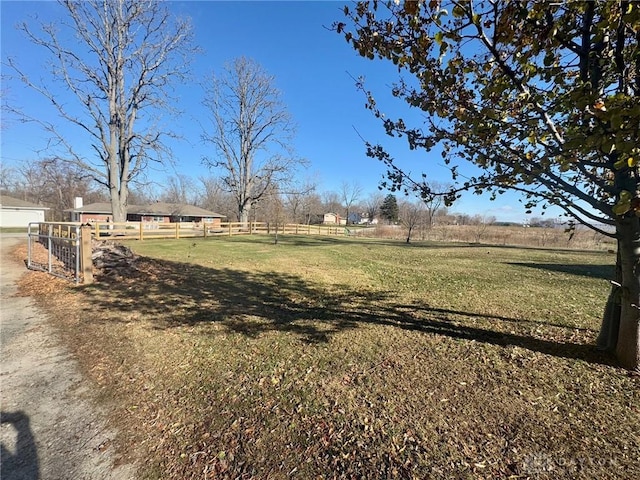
<point x="157" y="230"/>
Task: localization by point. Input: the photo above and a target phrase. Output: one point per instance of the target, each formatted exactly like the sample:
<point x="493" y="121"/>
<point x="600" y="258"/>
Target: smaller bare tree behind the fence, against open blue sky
<point x="251" y="132"/>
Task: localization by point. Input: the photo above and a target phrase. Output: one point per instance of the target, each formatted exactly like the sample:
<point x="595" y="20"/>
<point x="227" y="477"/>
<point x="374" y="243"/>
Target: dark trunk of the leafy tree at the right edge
<point x="620" y="332"/>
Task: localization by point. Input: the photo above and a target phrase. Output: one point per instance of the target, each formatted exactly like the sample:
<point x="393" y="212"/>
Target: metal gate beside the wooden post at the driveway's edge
<point x="55" y="248"/>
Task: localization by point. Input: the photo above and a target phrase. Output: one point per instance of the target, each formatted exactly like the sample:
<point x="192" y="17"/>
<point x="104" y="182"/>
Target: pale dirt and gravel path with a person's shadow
<point x="50" y="430"/>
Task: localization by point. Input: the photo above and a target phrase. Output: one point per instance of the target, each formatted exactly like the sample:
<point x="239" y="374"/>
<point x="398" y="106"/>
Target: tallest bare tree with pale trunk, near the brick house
<point x="115" y="68"/>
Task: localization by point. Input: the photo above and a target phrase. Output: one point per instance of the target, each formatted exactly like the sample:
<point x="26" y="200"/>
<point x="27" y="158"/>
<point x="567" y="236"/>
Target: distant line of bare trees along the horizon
<point x="55" y="184"/>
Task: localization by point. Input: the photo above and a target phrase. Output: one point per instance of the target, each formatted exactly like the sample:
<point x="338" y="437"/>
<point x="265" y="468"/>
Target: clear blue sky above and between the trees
<point x="312" y="67"/>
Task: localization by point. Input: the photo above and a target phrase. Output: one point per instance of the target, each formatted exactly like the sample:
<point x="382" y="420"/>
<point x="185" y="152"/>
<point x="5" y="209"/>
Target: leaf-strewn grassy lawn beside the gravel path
<point x="339" y="358"/>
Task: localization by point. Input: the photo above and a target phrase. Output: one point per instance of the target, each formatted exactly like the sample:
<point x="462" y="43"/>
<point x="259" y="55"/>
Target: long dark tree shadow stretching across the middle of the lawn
<point x="252" y="303"/>
